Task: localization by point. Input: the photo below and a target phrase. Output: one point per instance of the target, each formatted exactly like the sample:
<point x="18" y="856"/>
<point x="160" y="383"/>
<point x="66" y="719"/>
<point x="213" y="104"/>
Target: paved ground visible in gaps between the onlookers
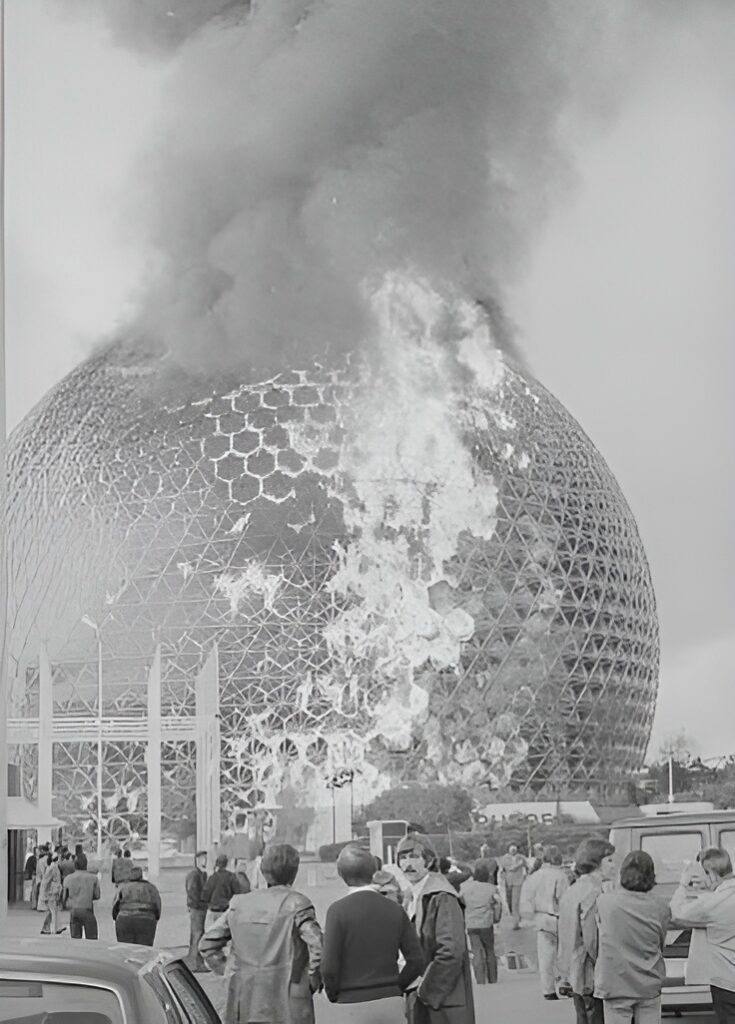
<point x="515" y="1000"/>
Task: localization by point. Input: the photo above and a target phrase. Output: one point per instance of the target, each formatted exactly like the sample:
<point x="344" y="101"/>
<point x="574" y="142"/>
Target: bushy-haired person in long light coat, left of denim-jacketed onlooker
<point x="578" y="928"/>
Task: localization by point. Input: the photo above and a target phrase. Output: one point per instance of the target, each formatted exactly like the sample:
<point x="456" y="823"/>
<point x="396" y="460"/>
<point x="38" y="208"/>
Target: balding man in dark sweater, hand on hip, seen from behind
<point x="364" y="936"/>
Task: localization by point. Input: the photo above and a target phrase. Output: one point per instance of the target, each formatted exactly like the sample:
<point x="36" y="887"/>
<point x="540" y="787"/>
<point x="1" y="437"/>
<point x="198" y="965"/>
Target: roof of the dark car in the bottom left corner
<point x="92" y="960"/>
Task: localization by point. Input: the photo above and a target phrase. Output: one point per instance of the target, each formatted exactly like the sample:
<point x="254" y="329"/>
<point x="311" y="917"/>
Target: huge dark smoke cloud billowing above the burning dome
<point x="312" y="146"/>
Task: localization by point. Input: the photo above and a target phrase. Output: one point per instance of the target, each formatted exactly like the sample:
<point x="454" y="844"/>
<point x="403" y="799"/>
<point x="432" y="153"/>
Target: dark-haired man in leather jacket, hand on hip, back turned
<point x="274" y="967"/>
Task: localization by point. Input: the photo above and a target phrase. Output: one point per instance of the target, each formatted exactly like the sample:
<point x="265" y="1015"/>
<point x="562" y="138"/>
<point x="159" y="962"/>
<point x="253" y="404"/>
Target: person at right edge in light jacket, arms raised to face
<point x="716" y="912"/>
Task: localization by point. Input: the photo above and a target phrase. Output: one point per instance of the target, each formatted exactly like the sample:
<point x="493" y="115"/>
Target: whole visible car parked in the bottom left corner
<point x="56" y="982"/>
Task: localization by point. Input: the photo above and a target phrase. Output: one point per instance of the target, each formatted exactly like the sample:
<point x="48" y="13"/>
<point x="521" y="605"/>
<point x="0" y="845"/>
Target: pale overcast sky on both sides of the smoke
<point x="627" y="313"/>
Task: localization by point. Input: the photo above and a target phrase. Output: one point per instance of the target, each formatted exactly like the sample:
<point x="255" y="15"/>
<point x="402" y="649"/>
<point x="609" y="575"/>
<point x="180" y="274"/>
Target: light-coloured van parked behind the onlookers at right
<point x="674" y="841"/>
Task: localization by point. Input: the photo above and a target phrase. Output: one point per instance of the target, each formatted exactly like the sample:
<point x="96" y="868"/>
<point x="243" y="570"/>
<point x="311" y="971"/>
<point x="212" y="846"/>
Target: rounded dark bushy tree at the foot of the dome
<point x="437" y="808"/>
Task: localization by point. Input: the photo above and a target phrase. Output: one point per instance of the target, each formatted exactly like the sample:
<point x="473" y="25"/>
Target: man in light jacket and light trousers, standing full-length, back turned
<point x="542" y="899"/>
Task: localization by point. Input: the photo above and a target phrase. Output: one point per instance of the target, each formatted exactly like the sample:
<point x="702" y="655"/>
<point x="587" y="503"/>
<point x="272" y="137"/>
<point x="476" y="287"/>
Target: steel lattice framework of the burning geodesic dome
<point x="190" y="510"/>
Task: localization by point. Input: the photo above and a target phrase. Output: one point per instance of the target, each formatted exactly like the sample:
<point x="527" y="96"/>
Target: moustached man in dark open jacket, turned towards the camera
<point x="444" y="995"/>
